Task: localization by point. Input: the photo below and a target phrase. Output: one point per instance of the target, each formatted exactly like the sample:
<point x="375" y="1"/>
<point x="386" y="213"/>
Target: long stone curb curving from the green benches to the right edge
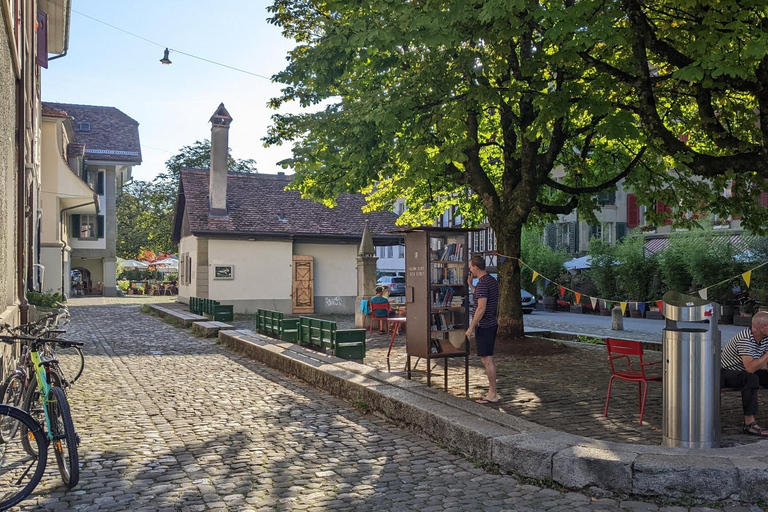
<point x="516" y="445"/>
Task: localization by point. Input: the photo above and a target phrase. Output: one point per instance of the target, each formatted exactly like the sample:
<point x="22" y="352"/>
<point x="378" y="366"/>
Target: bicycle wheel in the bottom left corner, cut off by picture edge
<point x="20" y="472"/>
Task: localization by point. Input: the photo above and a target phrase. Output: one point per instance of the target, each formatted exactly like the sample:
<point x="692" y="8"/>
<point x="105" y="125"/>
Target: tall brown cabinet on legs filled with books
<point x="437" y="298"/>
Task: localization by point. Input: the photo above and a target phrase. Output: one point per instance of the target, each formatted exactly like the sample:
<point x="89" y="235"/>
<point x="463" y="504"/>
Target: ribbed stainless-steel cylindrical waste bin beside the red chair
<point x="691" y="360"/>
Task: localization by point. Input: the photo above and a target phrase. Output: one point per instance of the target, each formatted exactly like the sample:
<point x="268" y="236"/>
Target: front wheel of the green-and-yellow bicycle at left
<point x="63" y="437"/>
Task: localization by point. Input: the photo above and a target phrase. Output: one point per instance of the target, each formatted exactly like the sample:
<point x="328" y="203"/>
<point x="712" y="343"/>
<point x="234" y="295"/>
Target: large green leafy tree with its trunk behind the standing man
<point x="510" y="110"/>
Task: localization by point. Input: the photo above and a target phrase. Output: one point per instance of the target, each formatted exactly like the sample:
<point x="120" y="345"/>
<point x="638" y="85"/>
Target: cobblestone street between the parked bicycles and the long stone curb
<point x="173" y="422"/>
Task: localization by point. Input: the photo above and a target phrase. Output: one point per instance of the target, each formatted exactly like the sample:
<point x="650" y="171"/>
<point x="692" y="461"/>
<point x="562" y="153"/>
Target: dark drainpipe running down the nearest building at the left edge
<point x="21" y="205"/>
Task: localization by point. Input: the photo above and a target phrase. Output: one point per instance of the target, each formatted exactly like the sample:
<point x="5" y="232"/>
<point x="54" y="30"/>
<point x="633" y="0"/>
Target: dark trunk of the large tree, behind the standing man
<point x="510" y="314"/>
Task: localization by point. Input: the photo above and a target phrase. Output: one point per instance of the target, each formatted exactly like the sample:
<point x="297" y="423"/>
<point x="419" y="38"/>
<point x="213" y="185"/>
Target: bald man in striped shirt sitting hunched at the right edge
<point x="744" y="366"/>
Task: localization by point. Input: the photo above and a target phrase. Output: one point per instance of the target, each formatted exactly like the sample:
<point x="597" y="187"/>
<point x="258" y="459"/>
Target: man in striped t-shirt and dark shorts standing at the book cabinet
<point x="484" y="324"/>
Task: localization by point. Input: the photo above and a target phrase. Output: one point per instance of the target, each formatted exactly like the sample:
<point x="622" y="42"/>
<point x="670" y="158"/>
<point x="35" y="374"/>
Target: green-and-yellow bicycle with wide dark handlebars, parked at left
<point x="46" y="401"/>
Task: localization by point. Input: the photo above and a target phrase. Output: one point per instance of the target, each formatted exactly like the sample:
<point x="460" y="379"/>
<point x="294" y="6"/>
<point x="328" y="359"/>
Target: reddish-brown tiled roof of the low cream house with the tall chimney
<point x="259" y="205"/>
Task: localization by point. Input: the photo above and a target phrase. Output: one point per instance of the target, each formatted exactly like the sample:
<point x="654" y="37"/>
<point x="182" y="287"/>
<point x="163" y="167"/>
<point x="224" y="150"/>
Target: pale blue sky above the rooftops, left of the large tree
<point x="173" y="104"/>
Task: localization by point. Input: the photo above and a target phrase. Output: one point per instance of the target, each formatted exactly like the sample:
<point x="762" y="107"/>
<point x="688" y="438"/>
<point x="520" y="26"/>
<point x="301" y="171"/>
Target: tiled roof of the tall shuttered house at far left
<point x="113" y="136"/>
